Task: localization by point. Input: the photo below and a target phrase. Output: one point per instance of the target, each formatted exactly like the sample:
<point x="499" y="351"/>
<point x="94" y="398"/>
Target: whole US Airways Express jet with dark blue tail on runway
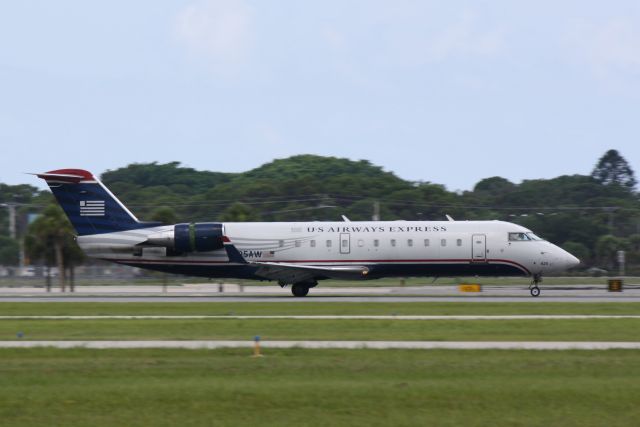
<point x="301" y="254"/>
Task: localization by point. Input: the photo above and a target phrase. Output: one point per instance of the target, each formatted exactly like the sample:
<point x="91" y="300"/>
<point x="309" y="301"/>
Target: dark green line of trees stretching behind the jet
<point x="592" y="216"/>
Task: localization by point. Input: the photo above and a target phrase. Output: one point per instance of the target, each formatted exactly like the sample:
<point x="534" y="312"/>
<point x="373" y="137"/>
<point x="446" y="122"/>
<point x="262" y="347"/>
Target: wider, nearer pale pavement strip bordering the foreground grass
<point x="423" y="345"/>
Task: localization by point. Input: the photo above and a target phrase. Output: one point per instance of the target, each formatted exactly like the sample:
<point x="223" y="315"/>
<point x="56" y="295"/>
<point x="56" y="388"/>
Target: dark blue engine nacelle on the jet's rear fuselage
<point x="198" y="237"/>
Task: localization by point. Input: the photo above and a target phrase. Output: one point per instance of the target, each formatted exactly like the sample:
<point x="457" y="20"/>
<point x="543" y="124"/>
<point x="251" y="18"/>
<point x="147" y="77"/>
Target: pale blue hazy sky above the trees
<point x="443" y="91"/>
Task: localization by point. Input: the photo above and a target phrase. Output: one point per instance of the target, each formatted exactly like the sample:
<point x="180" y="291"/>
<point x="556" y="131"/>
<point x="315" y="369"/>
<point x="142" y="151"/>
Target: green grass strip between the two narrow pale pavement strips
<point x="294" y="329"/>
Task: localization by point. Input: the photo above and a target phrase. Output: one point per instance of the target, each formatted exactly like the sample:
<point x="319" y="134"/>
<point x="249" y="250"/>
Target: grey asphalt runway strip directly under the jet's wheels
<point x="273" y="294"/>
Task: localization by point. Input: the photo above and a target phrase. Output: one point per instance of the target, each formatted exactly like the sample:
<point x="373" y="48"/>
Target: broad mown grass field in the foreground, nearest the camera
<point x="318" y="388"/>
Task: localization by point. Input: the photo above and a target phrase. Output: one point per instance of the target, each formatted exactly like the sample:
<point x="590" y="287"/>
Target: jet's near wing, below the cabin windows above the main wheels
<point x="293" y="273"/>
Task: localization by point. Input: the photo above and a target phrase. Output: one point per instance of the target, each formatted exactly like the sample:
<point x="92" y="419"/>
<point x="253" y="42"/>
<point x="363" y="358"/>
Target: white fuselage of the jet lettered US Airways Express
<point x="390" y="248"/>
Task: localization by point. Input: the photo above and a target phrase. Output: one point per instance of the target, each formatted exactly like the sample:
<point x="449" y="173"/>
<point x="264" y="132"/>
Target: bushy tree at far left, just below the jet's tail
<point x="51" y="238"/>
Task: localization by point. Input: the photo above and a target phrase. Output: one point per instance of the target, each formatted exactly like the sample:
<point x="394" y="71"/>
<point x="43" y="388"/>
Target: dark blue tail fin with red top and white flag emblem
<point x="90" y="206"/>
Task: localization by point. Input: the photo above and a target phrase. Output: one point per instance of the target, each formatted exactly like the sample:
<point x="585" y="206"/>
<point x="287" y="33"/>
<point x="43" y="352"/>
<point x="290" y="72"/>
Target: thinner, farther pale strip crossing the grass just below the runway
<point x="332" y="317"/>
